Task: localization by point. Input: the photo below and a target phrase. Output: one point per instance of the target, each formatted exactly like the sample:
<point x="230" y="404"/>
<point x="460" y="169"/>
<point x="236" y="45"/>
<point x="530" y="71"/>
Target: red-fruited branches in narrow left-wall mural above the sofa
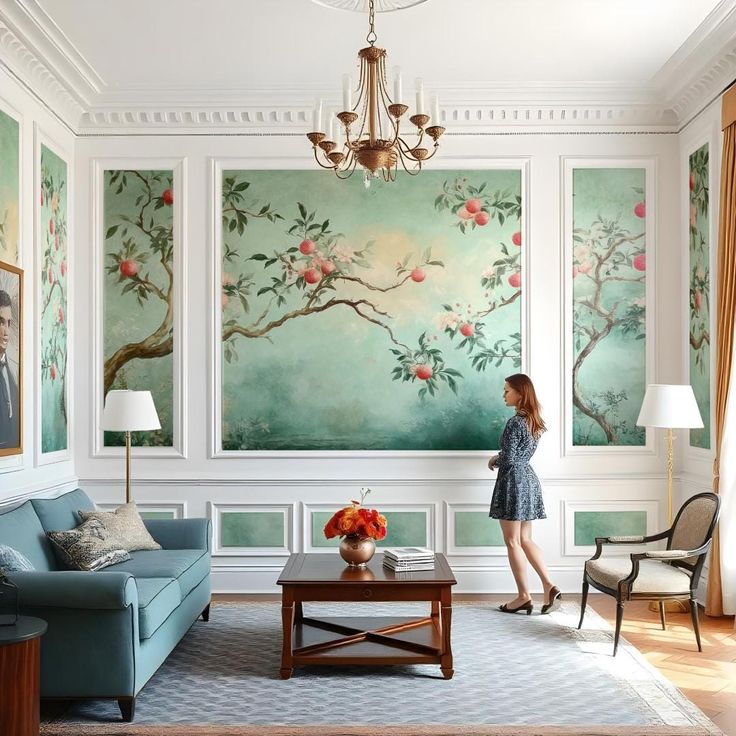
<point x="53" y="284"/>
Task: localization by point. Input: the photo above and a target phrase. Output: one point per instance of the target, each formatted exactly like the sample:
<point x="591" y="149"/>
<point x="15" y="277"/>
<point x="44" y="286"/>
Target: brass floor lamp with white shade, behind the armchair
<point x="668" y="406"/>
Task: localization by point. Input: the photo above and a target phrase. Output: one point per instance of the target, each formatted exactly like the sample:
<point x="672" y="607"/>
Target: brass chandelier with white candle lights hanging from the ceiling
<point x="371" y="127"/>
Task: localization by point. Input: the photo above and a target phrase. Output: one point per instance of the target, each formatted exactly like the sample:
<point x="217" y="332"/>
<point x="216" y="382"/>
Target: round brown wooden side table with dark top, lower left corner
<point x="20" y="687"/>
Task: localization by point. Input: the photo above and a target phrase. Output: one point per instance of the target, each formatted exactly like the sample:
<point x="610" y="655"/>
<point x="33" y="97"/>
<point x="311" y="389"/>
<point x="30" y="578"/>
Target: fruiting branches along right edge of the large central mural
<point x="474" y="207"/>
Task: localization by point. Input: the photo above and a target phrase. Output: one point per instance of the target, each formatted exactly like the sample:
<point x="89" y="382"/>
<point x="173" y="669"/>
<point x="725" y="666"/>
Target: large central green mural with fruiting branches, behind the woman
<point x="358" y="320"/>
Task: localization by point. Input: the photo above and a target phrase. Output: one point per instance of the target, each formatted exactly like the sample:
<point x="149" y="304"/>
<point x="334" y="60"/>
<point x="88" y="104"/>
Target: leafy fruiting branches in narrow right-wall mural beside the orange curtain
<point x="699" y="274"/>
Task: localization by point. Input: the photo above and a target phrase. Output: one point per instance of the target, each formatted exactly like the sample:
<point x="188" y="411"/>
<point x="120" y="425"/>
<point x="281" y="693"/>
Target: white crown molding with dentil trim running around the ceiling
<point x="38" y="53"/>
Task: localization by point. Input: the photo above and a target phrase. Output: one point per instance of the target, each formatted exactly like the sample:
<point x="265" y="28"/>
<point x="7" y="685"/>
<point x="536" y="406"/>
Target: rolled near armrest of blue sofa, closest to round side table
<point x="76" y="589"/>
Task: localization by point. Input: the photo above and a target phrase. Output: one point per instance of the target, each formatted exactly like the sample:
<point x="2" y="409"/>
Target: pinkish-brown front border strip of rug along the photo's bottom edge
<point x="122" y="729"/>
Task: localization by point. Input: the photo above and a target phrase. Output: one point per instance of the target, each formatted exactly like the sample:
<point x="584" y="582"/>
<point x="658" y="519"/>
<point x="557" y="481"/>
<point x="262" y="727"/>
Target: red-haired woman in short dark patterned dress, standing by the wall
<point x="517" y="495"/>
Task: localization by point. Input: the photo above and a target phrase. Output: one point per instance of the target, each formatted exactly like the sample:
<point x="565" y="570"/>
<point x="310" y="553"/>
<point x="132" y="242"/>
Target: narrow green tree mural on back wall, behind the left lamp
<point x="139" y="293"/>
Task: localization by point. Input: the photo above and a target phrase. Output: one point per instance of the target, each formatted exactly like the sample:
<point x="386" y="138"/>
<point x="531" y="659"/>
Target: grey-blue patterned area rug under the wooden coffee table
<point x="514" y="676"/>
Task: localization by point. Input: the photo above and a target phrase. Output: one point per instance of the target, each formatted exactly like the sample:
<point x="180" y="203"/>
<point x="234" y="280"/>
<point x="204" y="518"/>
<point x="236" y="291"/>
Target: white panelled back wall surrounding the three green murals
<point x="619" y="477"/>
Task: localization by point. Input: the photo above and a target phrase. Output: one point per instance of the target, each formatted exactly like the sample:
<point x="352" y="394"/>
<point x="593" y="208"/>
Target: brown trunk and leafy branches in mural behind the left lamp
<point x="129" y="262"/>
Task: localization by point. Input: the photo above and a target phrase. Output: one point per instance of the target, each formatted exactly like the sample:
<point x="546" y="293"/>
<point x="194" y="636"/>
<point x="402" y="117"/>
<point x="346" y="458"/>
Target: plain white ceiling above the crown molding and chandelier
<point x="221" y="46"/>
